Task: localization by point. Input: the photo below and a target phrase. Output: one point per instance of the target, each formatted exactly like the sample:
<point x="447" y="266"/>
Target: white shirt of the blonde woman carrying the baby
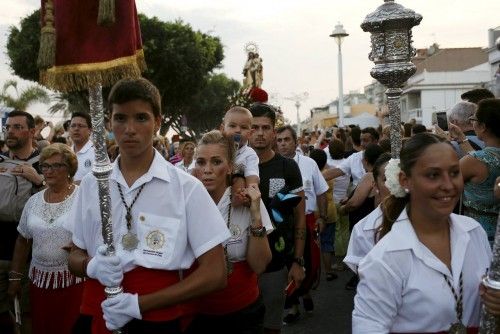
<point x="241" y="219"/>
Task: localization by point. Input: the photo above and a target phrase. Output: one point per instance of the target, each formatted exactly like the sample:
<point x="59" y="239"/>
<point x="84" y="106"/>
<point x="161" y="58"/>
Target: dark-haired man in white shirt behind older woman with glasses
<point x="80" y="129"/>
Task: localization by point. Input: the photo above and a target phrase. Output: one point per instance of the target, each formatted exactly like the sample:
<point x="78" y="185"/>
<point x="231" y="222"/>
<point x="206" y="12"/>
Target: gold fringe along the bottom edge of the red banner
<point x="76" y="81"/>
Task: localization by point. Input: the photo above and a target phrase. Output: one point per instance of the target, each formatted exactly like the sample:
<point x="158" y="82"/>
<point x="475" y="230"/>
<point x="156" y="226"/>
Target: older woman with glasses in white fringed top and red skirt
<point x="41" y="229"/>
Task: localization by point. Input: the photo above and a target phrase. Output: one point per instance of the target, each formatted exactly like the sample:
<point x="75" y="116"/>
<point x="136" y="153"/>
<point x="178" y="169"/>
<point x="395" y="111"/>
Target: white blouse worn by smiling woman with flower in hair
<point x="402" y="287"/>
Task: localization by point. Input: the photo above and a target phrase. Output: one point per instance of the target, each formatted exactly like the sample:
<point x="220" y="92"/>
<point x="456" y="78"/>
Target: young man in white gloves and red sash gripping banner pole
<point x="163" y="222"/>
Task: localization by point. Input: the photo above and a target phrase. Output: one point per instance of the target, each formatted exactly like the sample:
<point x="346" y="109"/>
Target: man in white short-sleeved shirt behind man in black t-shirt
<point x="315" y="189"/>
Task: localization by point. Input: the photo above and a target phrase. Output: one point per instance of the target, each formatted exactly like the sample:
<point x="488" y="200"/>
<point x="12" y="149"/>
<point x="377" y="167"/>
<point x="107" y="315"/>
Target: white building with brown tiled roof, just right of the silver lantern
<point x="442" y="76"/>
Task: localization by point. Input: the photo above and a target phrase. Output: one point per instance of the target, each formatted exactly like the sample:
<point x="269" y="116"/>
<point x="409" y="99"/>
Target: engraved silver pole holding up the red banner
<point x="101" y="170"/>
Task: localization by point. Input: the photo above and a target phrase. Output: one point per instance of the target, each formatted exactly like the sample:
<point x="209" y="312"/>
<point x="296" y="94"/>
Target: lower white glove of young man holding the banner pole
<point x="119" y="310"/>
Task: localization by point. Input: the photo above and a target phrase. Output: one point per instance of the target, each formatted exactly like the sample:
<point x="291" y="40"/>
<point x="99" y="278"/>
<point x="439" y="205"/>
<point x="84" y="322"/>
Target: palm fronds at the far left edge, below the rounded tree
<point x="23" y="98"/>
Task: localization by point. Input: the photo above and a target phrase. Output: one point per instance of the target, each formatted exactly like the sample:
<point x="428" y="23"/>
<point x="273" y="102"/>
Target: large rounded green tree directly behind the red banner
<point x="180" y="63"/>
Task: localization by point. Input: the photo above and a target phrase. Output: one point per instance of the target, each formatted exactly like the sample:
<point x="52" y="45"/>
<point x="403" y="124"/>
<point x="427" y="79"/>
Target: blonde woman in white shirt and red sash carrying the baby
<point x="238" y="308"/>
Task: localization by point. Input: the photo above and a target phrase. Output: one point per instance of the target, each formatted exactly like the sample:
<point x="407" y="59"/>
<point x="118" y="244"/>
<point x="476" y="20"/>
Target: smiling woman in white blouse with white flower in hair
<point x="425" y="272"/>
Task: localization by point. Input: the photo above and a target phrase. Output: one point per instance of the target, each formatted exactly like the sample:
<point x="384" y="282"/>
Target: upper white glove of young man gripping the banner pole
<point x="106" y="269"/>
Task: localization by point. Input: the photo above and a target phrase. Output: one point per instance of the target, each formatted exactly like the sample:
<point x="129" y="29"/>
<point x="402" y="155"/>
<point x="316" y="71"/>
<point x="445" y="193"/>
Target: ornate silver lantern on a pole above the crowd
<point x="391" y="38"/>
